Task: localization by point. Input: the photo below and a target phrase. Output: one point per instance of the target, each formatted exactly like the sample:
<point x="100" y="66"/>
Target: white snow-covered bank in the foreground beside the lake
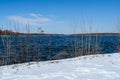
<point x="93" y="67"/>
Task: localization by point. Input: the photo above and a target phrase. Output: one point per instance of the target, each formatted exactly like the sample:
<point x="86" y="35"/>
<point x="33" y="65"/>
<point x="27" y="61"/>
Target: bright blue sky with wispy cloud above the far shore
<point x="60" y="16"/>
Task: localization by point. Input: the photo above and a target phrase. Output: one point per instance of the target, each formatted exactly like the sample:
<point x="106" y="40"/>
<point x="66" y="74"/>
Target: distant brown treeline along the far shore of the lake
<point x="9" y="32"/>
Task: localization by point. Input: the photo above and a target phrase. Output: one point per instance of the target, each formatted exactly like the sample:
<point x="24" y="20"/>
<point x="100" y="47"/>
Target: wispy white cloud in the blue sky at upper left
<point x="33" y="19"/>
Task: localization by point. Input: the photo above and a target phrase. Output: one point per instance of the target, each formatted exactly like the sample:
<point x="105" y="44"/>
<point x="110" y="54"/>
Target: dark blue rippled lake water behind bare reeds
<point x="42" y="48"/>
